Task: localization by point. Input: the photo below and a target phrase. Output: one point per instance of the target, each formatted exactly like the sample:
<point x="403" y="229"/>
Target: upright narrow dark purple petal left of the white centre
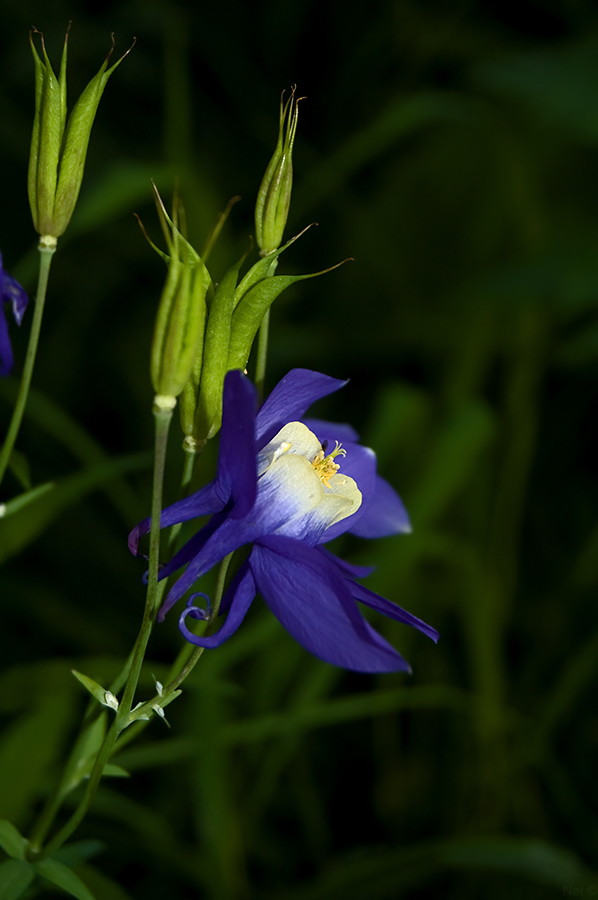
<point x="237" y="472"/>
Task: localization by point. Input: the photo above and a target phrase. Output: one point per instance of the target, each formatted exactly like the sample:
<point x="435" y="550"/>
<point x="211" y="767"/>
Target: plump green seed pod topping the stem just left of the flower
<point x="180" y="323"/>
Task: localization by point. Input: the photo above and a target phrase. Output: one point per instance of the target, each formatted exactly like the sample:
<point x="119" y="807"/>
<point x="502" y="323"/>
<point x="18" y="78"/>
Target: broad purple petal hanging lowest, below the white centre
<point x="311" y="600"/>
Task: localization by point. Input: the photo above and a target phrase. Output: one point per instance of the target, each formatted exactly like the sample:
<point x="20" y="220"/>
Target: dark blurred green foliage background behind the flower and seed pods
<point x="451" y="149"/>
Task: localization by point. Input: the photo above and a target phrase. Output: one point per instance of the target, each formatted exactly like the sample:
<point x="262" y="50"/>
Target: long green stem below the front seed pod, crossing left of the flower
<point x="162" y="417"/>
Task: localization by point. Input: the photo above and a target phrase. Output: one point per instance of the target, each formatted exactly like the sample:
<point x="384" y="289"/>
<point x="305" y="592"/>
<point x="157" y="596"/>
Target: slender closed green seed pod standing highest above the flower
<point x="274" y="195"/>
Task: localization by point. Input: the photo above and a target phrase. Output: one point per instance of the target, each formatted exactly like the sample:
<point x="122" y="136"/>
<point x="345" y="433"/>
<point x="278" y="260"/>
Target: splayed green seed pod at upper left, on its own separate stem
<point x="58" y="148"/>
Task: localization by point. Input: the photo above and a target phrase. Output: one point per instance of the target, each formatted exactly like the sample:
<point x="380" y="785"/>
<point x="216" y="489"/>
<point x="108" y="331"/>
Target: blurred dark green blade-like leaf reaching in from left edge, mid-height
<point x="30" y="521"/>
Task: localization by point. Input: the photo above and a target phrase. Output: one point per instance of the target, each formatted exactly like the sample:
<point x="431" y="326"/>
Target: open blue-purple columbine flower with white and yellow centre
<point x="286" y="487"/>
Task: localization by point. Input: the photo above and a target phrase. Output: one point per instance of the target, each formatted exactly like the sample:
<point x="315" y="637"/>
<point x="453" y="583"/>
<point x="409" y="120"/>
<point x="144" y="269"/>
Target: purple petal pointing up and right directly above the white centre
<point x="290" y="399"/>
